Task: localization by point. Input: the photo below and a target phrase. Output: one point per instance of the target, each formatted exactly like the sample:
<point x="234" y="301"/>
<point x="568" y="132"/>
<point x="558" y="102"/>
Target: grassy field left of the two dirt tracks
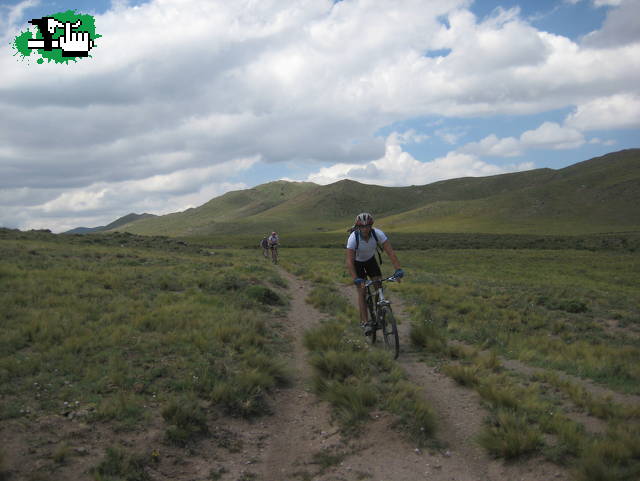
<point x="112" y="330"/>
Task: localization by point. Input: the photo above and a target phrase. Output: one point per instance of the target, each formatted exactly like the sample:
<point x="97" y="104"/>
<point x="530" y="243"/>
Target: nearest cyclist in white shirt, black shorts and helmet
<point x="361" y="260"/>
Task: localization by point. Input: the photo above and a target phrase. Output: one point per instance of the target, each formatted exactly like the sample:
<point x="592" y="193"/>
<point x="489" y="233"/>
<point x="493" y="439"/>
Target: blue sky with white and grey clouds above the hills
<point x="184" y="100"/>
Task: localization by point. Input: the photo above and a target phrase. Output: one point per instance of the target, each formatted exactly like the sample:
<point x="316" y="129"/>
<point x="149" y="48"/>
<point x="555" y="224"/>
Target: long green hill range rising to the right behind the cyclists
<point x="594" y="196"/>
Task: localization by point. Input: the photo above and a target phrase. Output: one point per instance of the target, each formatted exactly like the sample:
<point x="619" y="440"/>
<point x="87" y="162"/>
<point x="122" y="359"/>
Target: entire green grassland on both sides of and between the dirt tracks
<point x="112" y="329"/>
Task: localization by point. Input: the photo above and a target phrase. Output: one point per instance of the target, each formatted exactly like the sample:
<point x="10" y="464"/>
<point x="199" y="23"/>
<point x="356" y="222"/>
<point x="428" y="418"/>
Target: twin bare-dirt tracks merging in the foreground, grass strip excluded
<point x="301" y="429"/>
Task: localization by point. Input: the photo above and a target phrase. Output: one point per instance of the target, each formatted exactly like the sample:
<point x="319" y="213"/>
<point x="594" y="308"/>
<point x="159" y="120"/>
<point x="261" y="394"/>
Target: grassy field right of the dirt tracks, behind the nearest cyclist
<point x="565" y="312"/>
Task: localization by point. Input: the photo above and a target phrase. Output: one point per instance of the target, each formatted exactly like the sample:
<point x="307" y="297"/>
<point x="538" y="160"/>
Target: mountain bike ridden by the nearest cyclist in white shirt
<point x="381" y="316"/>
